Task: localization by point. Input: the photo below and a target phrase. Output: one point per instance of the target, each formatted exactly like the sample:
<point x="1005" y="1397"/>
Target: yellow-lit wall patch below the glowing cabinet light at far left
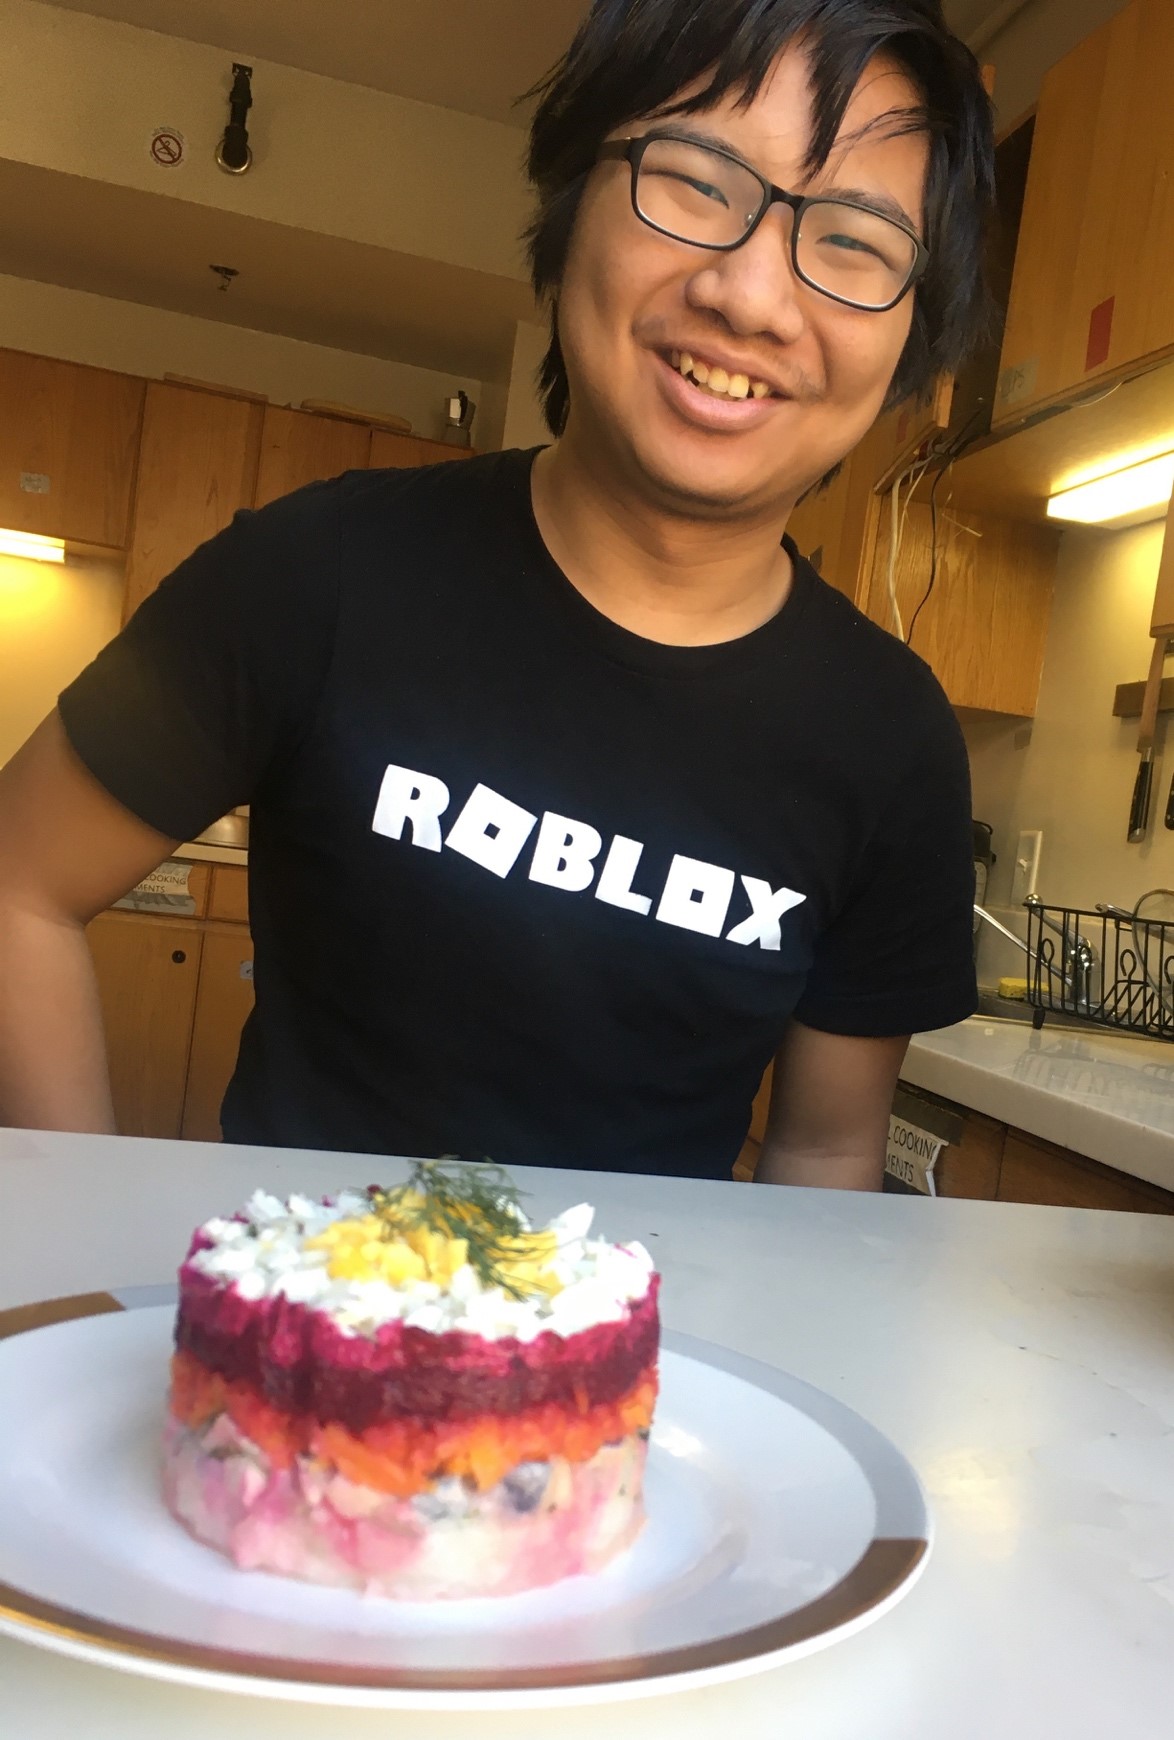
<point x="53" y="622"/>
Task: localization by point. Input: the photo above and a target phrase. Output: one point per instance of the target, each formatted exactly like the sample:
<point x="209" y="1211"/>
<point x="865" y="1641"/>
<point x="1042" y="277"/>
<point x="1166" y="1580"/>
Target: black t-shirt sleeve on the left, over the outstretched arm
<point x="218" y="673"/>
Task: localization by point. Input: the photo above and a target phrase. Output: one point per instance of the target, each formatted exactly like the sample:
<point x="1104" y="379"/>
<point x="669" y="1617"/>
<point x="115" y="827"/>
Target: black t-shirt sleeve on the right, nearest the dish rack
<point x="900" y="956"/>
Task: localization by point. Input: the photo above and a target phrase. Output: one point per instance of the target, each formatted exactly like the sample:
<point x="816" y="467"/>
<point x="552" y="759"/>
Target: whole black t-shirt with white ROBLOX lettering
<point x="523" y="883"/>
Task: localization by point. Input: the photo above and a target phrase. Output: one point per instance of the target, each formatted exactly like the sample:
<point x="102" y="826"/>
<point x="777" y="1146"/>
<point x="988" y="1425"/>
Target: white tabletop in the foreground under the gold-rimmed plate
<point x="1024" y="1360"/>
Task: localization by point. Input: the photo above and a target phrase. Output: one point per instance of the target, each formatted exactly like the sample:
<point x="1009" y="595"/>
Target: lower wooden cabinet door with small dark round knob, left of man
<point x="147" y="980"/>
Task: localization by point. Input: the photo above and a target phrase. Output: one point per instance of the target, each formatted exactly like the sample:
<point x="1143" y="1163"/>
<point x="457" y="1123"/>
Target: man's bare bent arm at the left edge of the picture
<point x="67" y="853"/>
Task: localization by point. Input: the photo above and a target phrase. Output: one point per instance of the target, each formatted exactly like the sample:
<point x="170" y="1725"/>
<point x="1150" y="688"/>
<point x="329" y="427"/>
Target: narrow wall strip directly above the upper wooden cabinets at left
<point x="156" y="342"/>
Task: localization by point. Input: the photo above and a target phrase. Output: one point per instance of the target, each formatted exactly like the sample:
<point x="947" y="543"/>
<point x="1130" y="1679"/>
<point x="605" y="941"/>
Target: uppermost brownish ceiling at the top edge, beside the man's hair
<point x="476" y="57"/>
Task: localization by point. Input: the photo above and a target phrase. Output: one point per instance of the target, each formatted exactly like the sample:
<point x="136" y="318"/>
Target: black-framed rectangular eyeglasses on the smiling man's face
<point x="705" y="196"/>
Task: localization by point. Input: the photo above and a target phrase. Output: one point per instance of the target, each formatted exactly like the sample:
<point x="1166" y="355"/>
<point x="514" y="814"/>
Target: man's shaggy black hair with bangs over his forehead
<point x="632" y="58"/>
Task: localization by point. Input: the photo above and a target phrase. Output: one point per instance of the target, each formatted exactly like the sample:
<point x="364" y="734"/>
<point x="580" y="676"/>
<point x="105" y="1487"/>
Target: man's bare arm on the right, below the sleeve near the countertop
<point x="830" y="1111"/>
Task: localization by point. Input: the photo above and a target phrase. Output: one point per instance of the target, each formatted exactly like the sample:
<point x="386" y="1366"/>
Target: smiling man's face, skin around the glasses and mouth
<point x="632" y="298"/>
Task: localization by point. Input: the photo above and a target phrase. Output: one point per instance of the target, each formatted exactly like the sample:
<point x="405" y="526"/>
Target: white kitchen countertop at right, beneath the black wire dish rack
<point x="1104" y="1095"/>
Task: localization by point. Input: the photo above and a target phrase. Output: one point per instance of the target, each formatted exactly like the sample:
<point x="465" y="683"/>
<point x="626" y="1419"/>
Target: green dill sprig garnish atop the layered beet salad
<point x="462" y="1200"/>
